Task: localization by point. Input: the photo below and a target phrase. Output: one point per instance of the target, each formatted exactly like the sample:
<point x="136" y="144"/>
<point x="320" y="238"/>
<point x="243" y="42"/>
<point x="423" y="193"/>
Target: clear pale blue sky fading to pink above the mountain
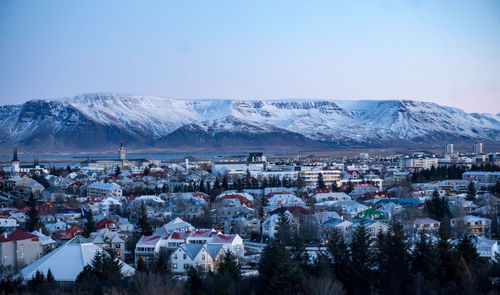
<point x="447" y="52"/>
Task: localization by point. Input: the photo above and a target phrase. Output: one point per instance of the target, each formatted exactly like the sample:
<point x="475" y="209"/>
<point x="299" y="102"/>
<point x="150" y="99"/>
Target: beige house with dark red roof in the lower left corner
<point x="18" y="249"/>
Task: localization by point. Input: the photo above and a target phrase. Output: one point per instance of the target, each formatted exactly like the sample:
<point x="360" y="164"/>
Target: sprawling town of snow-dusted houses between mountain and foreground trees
<point x="192" y="217"/>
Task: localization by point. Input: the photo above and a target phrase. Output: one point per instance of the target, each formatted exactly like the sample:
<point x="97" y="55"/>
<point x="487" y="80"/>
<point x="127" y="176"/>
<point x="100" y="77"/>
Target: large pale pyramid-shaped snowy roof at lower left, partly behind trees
<point x="67" y="261"/>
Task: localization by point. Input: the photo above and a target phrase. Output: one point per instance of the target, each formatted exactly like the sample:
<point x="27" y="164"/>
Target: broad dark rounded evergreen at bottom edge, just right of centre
<point x="278" y="273"/>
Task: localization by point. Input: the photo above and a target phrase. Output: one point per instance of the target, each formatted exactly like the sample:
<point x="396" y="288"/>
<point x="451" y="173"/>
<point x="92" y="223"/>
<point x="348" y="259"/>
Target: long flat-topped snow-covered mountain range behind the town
<point x="98" y="121"/>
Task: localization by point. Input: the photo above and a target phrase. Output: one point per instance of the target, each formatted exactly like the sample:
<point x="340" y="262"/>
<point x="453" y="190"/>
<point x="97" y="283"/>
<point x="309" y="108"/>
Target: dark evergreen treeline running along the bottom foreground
<point x="385" y="264"/>
